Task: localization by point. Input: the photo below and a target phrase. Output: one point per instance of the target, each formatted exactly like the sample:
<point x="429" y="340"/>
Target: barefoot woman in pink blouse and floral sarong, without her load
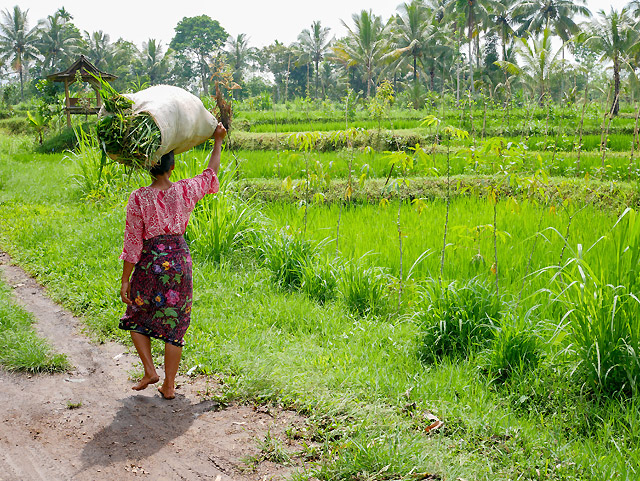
<point x="160" y="291"/>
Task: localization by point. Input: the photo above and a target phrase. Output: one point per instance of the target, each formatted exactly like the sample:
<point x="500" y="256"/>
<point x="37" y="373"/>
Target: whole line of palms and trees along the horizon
<point x="535" y="49"/>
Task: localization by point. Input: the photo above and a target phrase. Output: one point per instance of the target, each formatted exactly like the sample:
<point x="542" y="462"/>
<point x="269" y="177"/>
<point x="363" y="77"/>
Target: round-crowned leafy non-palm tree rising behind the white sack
<point x="199" y="39"/>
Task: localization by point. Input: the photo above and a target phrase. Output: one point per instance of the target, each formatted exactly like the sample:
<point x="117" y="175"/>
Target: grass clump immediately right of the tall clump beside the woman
<point x="287" y="257"/>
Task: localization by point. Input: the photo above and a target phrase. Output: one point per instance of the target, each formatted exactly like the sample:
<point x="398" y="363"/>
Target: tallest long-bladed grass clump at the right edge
<point x="598" y="289"/>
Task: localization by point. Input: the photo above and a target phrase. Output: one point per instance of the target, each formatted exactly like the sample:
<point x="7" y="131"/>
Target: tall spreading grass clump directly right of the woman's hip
<point x="222" y="224"/>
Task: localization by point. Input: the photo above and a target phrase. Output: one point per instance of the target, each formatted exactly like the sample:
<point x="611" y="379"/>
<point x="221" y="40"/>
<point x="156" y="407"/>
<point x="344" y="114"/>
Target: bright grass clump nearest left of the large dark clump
<point x="364" y="290"/>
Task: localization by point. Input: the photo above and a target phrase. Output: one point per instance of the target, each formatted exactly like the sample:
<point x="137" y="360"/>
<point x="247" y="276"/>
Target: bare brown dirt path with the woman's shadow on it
<point x="116" y="433"/>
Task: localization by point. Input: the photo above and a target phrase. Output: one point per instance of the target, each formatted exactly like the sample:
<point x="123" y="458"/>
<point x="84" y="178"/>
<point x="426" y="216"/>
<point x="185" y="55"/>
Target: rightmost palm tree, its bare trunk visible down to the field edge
<point x="615" y="37"/>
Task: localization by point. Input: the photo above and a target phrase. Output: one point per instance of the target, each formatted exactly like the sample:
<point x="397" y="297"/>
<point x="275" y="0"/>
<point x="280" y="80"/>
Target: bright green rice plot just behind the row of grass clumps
<point x="372" y="229"/>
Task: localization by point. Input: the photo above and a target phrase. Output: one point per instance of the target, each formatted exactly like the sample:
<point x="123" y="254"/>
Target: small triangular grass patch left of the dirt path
<point x="20" y="347"/>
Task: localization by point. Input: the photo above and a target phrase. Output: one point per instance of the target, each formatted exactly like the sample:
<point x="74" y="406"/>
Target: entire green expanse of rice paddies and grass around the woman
<point x="464" y="308"/>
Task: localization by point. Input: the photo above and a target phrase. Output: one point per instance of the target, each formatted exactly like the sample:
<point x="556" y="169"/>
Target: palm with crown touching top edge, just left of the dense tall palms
<point x="412" y="32"/>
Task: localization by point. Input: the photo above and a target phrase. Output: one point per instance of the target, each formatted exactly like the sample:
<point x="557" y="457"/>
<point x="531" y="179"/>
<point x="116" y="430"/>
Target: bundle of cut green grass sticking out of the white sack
<point x="127" y="137"/>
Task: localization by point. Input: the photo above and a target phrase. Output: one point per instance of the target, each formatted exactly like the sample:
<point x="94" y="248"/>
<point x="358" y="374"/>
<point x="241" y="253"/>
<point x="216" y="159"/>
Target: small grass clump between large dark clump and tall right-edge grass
<point x="515" y="350"/>
